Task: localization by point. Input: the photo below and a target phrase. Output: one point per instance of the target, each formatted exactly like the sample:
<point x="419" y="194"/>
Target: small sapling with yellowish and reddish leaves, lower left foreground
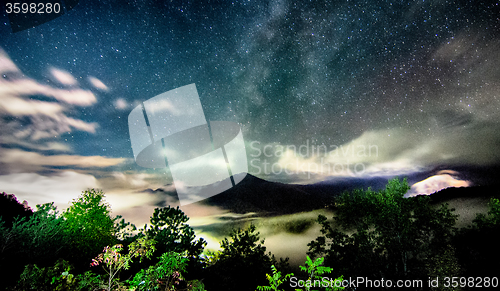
<point x="113" y="261"/>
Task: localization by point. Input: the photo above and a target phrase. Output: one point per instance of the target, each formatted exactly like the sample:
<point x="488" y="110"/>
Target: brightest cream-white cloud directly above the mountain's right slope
<point x="381" y="153"/>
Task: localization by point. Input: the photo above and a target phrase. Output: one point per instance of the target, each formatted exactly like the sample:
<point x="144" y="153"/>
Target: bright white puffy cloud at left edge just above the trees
<point x="38" y="189"/>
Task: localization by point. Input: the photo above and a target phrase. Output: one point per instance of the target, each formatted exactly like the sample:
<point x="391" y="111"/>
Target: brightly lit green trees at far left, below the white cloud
<point x="75" y="235"/>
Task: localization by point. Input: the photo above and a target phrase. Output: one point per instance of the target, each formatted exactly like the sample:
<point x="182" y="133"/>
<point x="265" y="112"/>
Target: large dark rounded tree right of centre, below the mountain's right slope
<point x="393" y="236"/>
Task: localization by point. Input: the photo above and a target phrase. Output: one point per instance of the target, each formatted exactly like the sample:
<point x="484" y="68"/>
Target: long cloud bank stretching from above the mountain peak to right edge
<point x="381" y="153"/>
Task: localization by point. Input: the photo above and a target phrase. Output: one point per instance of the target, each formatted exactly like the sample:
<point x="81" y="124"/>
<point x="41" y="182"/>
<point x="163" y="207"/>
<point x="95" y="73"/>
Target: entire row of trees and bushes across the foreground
<point x="374" y="234"/>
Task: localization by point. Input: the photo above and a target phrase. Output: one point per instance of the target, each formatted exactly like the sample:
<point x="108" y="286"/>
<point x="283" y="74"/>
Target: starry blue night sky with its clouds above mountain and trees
<point x="378" y="88"/>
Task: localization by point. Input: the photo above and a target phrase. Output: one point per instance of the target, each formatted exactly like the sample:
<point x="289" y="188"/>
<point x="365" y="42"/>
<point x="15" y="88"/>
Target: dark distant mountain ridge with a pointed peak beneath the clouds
<point x="263" y="197"/>
